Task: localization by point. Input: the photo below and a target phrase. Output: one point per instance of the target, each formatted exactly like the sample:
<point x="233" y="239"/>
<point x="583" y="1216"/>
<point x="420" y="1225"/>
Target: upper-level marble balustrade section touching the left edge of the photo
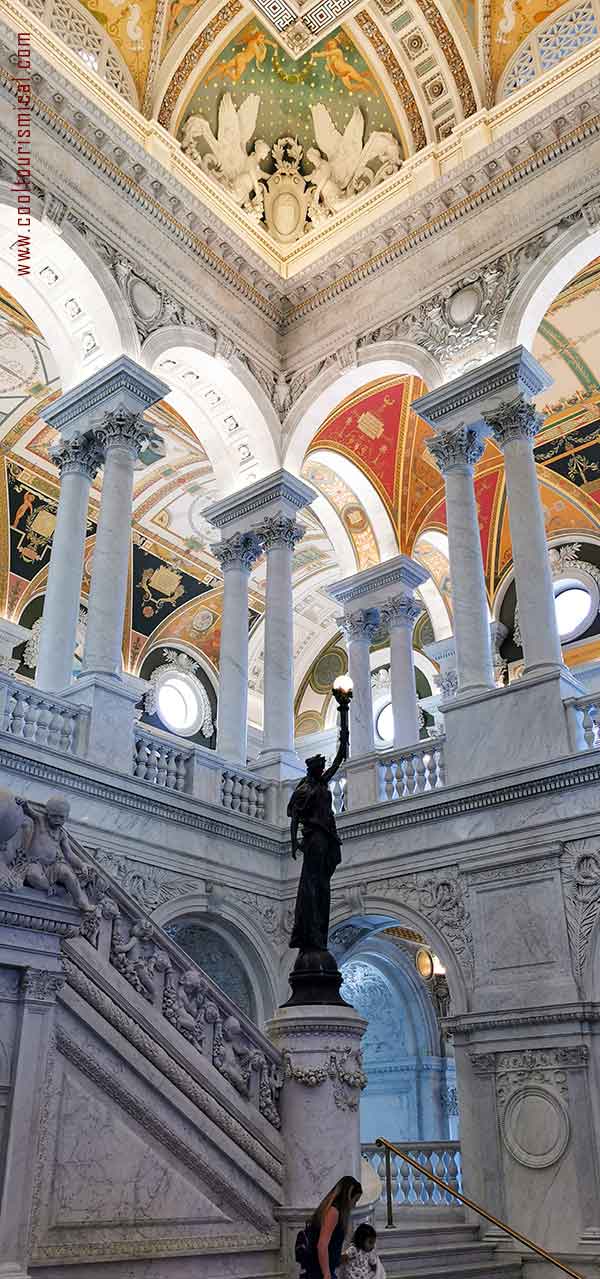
<point x="44" y="721"/>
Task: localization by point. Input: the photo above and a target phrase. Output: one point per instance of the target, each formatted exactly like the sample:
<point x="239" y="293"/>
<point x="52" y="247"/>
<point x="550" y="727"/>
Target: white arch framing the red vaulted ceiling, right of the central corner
<point x="332" y="386"/>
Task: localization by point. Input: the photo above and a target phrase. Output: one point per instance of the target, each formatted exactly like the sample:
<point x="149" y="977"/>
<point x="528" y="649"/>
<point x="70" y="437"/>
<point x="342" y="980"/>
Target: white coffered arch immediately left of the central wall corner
<point x="241" y="430"/>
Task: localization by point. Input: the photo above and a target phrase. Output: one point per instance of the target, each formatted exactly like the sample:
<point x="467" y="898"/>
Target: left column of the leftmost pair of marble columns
<point x="77" y="462"/>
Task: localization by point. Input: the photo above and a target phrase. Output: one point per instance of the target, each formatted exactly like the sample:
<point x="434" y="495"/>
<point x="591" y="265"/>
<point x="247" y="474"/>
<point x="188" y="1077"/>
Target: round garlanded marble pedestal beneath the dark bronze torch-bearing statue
<point x="320" y="1126"/>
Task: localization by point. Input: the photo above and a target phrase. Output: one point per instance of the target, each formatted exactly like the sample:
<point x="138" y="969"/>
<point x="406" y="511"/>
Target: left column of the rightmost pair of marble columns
<point x="456" y="455"/>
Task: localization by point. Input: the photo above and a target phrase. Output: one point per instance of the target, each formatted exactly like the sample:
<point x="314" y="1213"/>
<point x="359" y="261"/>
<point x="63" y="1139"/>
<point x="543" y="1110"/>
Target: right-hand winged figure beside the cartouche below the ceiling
<point x="347" y="169"/>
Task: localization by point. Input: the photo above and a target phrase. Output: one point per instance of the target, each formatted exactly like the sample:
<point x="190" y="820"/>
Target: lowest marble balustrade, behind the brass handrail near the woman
<point x="409" y="1186"/>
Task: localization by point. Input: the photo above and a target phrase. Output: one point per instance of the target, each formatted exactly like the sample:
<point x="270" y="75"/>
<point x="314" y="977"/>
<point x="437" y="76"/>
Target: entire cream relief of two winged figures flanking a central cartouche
<point x="288" y="201"/>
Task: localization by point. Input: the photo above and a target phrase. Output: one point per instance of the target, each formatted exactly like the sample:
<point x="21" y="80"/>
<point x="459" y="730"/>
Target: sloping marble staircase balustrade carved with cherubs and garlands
<point x="123" y="938"/>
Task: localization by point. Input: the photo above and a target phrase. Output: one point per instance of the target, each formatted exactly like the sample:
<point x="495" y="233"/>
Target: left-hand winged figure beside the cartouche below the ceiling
<point x="228" y="161"/>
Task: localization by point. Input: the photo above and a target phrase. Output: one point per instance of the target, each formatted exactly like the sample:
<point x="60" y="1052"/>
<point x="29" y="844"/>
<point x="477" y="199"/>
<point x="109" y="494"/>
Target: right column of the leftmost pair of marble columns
<point x="122" y="437"/>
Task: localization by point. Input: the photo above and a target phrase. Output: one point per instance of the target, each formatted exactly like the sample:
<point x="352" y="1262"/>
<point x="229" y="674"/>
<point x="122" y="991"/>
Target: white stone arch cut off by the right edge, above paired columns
<point x="565" y="255"/>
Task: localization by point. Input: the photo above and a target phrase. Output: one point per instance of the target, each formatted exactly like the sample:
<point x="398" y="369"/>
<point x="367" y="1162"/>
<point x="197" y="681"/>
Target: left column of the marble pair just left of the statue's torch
<point x="236" y="556"/>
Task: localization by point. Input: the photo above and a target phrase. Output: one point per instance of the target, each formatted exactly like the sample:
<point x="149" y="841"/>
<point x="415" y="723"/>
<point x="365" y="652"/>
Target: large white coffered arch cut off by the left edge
<point x="83" y="279"/>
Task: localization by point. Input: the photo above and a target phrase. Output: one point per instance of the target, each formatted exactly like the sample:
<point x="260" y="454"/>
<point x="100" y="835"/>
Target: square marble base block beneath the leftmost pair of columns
<point x="111" y="730"/>
